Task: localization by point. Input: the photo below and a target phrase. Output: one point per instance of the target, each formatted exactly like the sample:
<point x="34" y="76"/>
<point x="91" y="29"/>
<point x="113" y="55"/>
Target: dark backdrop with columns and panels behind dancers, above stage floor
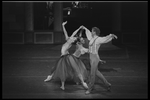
<point x="23" y="22"/>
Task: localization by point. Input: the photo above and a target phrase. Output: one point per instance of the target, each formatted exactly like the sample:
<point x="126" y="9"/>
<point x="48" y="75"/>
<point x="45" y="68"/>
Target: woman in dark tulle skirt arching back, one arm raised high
<point x="67" y="67"/>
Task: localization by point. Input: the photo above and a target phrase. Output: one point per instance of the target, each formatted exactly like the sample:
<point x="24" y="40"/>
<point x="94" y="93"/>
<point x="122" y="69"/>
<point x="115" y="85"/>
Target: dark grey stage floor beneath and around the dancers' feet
<point x="25" y="67"/>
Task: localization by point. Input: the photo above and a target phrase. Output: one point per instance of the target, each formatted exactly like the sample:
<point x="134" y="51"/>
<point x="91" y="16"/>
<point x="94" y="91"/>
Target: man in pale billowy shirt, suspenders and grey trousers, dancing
<point x="94" y="45"/>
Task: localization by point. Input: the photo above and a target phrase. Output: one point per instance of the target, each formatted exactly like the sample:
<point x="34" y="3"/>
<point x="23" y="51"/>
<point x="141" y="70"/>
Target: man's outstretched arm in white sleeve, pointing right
<point x="107" y="38"/>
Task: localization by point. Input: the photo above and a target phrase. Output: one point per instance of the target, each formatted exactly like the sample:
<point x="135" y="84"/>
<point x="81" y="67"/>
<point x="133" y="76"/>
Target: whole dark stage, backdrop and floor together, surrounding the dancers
<point x="32" y="37"/>
